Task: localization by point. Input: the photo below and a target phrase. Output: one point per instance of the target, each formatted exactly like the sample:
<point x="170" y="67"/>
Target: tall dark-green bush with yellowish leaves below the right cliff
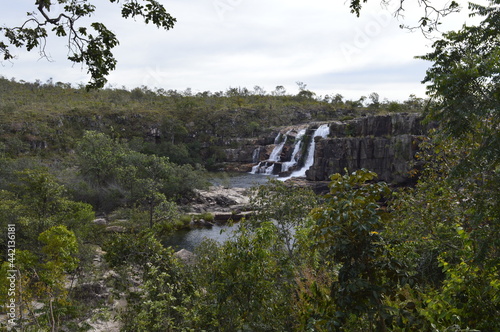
<point x="350" y="229"/>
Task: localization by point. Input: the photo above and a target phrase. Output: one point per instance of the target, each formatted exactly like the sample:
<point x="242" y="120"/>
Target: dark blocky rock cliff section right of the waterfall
<point x="383" y="144"/>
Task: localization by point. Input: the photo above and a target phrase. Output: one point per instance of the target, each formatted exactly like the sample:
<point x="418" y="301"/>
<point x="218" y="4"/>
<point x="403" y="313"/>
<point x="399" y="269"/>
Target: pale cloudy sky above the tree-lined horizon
<point x="218" y="44"/>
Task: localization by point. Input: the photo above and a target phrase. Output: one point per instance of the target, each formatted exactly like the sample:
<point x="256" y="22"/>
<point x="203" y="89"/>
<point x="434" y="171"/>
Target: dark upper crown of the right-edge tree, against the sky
<point x="465" y="82"/>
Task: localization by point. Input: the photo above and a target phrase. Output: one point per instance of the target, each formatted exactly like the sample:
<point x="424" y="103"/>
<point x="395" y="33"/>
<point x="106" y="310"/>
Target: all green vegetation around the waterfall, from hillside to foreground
<point x="364" y="257"/>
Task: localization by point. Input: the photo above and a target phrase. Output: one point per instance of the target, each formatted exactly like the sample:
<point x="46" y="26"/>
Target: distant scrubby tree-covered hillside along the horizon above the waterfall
<point x="188" y="128"/>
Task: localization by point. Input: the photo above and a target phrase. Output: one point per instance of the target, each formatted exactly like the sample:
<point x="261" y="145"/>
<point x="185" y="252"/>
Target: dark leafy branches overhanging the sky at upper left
<point x="91" y="46"/>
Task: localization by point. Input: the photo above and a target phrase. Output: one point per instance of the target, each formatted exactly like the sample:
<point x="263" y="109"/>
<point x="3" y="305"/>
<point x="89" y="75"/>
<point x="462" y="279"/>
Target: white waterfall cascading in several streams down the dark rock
<point x="293" y="153"/>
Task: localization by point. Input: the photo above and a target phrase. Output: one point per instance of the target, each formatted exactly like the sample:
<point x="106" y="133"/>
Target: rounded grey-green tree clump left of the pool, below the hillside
<point x="121" y="176"/>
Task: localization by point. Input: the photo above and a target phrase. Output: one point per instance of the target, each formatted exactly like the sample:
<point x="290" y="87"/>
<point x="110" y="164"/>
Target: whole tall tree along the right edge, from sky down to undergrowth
<point x="465" y="84"/>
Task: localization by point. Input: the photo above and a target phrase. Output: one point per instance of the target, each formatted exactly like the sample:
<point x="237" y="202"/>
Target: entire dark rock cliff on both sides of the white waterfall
<point x="383" y="144"/>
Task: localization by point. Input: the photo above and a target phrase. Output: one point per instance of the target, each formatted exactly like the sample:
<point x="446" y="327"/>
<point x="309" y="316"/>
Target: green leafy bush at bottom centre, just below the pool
<point x="248" y="282"/>
